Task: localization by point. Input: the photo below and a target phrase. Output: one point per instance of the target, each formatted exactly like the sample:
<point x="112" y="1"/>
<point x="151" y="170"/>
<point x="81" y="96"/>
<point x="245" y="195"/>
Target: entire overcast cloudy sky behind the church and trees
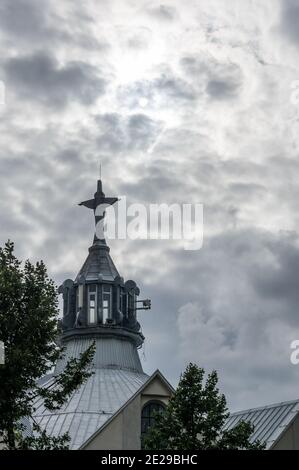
<point x="181" y="102"/>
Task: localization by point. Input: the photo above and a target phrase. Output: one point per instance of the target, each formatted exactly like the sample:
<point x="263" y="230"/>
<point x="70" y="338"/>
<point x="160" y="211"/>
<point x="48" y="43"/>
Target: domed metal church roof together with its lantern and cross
<point x="117" y="373"/>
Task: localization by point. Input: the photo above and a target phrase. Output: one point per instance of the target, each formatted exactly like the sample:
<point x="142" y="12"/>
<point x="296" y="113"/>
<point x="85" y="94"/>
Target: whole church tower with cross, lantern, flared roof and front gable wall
<point x="117" y="403"/>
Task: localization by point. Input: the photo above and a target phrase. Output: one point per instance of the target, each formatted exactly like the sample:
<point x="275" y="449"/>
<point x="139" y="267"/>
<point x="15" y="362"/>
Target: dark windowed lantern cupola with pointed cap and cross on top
<point x="99" y="302"/>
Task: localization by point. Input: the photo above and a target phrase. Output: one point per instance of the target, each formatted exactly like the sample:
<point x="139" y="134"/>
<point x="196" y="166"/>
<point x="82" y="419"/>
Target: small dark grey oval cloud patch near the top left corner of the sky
<point x="41" y="78"/>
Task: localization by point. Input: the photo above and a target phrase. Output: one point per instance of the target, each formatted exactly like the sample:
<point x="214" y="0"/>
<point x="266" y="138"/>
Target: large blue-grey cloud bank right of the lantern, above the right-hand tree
<point x="217" y="306"/>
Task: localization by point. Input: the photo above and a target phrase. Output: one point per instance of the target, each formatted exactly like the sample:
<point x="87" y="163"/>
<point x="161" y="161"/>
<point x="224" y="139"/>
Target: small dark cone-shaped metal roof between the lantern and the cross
<point x="98" y="262"/>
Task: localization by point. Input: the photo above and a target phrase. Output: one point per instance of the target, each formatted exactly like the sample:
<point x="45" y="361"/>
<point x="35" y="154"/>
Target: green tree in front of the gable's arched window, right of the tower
<point x="195" y="417"/>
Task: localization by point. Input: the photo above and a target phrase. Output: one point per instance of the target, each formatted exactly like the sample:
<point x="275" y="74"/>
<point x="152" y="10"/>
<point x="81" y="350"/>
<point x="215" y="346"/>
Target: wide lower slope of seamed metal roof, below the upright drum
<point x="87" y="410"/>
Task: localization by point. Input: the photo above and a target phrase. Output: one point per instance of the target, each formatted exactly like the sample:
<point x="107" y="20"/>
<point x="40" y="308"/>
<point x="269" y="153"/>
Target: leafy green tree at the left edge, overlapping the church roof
<point x="29" y="330"/>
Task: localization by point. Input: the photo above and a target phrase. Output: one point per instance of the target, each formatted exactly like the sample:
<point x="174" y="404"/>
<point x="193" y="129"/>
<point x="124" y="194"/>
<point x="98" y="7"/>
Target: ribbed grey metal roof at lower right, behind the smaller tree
<point x="269" y="421"/>
